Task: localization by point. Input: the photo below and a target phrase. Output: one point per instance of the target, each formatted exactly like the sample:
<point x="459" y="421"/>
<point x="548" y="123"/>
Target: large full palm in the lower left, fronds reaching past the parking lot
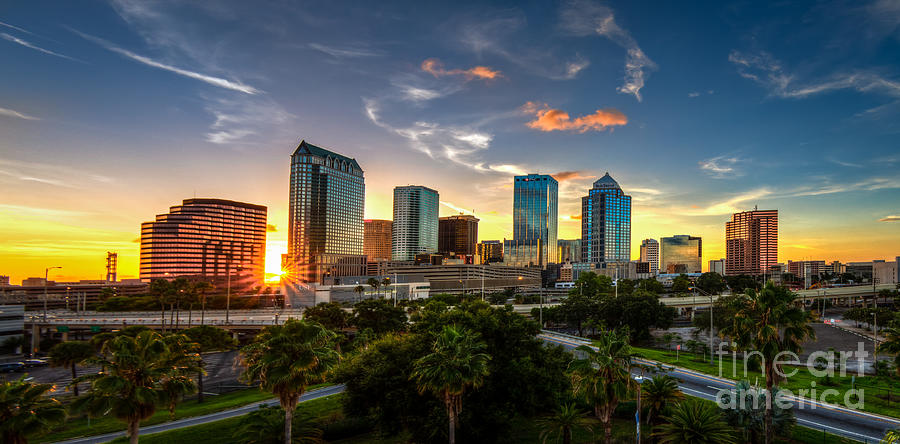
<point x="131" y="384"/>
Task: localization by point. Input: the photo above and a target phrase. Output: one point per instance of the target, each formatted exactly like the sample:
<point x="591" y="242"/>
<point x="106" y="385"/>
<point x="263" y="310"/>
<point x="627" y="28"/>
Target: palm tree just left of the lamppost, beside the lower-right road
<point x="603" y="376"/>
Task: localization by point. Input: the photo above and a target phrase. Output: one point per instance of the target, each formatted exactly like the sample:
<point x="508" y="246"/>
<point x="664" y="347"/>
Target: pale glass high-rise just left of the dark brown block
<point x="415" y="228"/>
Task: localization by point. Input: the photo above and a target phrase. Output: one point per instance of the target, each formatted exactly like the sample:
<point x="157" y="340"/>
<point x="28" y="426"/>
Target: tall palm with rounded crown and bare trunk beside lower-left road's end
<point x="287" y="358"/>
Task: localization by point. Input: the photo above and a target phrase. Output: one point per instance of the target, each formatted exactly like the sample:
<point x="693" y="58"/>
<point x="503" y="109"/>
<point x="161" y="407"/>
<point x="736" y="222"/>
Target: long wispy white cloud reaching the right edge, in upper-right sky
<point x="764" y="69"/>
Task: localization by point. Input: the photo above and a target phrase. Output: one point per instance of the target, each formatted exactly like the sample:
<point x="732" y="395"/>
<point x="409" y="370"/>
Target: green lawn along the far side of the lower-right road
<point x="881" y="395"/>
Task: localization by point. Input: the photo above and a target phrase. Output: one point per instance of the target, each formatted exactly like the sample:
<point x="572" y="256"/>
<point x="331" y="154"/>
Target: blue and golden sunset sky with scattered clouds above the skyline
<point x="111" y="112"/>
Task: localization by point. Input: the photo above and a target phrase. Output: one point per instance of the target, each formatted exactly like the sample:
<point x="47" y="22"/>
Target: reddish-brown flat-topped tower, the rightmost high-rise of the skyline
<point x="751" y="242"/>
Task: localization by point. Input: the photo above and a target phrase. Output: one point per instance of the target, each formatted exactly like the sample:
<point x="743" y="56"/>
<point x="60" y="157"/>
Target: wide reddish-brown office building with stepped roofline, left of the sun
<point x="212" y="238"/>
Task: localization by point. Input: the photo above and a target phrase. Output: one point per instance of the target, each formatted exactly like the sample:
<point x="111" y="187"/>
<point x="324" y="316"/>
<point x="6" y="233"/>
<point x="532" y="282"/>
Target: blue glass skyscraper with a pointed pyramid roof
<point x="606" y="223"/>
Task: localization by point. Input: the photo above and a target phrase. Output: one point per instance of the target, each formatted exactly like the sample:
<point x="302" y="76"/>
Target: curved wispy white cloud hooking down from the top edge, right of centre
<point x="584" y="17"/>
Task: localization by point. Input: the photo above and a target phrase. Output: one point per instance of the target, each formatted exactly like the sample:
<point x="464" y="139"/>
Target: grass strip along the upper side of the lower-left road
<point x="78" y="426"/>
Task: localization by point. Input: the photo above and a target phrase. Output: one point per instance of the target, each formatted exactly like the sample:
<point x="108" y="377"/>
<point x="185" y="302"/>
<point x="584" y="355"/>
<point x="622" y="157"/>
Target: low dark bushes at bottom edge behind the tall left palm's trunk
<point x="266" y="426"/>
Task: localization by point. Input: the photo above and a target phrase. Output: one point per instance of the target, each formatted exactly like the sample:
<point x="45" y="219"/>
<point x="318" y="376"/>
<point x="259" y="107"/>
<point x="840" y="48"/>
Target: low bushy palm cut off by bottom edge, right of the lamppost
<point x="694" y="422"/>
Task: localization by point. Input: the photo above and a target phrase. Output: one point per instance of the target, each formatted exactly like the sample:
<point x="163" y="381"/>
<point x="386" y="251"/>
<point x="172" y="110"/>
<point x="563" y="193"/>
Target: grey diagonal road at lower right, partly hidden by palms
<point x="861" y="426"/>
